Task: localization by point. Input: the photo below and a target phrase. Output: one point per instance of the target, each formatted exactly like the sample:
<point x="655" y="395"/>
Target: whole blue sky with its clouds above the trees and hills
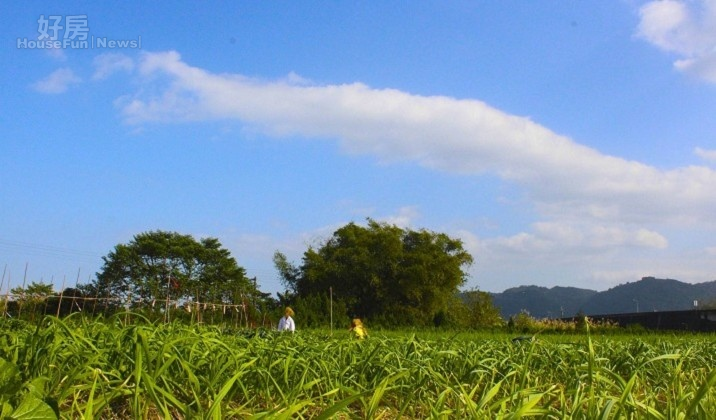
<point x="567" y="143"/>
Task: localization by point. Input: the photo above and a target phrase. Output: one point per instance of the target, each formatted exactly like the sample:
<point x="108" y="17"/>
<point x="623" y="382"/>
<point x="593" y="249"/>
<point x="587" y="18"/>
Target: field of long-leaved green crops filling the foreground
<point x="127" y="367"/>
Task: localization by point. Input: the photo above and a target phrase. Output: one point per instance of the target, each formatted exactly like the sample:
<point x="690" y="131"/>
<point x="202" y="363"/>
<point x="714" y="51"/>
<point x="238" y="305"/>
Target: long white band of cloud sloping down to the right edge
<point x="564" y="179"/>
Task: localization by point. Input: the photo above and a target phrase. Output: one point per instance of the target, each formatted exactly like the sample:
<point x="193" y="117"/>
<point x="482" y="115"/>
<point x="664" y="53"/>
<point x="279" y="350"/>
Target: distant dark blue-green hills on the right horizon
<point x="649" y="294"/>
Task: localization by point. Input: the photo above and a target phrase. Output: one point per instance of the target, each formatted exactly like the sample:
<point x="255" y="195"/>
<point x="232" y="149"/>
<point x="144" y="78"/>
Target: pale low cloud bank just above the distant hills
<point x="537" y="257"/>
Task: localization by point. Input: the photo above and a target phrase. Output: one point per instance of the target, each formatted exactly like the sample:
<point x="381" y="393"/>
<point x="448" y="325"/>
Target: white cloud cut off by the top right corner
<point x="687" y="29"/>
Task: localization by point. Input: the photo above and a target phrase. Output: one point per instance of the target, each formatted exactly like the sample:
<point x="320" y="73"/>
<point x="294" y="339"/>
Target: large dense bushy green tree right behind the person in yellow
<point x="381" y="271"/>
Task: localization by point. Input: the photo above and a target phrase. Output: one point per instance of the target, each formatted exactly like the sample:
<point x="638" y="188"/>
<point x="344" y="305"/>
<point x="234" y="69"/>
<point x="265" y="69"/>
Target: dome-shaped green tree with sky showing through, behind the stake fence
<point x="159" y="264"/>
